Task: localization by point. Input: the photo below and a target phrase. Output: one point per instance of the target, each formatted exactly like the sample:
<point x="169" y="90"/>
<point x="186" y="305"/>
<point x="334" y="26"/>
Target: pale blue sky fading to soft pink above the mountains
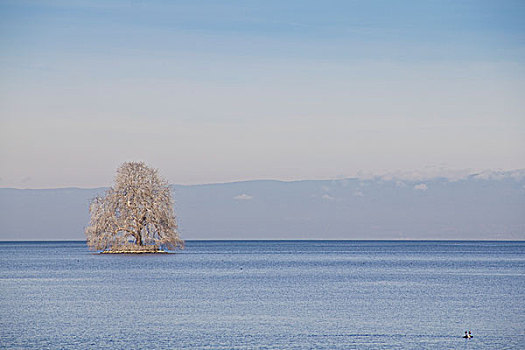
<point x="219" y="91"/>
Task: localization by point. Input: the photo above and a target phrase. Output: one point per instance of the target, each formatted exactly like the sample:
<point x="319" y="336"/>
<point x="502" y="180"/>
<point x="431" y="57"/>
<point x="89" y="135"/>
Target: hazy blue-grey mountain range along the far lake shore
<point x="480" y="206"/>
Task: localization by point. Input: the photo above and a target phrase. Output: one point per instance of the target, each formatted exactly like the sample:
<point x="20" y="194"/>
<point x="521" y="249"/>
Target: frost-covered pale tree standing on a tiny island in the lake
<point x="134" y="215"/>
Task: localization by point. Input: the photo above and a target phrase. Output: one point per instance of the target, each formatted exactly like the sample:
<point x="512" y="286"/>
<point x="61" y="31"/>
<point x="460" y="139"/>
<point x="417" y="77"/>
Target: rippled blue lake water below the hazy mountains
<point x="265" y="295"/>
